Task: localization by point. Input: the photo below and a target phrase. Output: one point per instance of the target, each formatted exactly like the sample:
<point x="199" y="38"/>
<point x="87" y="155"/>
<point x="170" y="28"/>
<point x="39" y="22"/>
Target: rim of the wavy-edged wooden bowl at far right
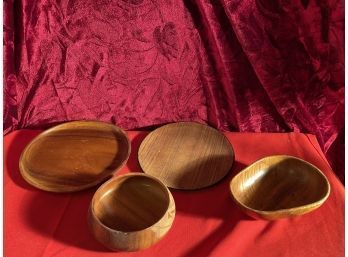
<point x="283" y="211"/>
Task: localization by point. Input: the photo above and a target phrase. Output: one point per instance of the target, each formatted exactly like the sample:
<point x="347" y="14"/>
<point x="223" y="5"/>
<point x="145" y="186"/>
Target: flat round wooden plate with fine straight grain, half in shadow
<point x="186" y="155"/>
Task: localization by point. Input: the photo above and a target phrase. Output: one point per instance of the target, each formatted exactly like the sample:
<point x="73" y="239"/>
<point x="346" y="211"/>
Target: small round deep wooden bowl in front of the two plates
<point x="131" y="212"/>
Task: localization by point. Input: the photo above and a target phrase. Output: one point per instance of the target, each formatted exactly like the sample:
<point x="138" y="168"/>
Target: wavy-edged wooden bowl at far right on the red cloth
<point x="279" y="187"/>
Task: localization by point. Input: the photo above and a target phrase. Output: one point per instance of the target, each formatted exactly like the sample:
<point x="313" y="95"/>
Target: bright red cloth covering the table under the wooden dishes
<point x="207" y="221"/>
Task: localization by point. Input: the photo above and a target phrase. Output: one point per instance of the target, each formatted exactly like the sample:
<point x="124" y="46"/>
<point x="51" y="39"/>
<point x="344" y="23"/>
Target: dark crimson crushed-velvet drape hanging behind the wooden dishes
<point x="260" y="66"/>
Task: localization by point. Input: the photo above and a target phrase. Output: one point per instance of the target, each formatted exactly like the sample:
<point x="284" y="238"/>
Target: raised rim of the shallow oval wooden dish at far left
<point x="69" y="189"/>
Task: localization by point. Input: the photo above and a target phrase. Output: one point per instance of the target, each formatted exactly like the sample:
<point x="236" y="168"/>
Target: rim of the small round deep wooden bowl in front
<point x="170" y="202"/>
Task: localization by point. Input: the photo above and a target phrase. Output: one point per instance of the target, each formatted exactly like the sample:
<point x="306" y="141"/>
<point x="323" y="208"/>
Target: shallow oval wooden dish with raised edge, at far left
<point x="74" y="156"/>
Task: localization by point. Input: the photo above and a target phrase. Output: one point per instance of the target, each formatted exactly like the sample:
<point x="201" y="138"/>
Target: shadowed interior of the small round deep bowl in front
<point x="131" y="203"/>
